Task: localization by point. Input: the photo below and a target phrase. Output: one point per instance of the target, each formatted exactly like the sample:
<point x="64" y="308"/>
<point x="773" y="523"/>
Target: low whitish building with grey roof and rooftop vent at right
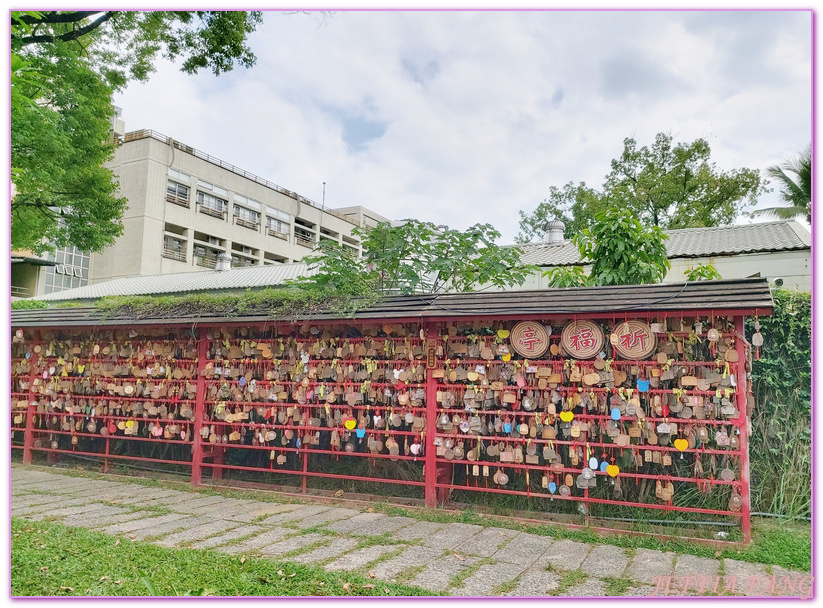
<point x="780" y="251"/>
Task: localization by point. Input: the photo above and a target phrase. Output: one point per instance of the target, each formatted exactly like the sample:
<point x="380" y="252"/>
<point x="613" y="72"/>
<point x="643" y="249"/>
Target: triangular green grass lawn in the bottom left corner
<point x="49" y="559"/>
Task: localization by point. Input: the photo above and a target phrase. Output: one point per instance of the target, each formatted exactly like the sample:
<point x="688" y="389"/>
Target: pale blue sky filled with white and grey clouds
<point x="467" y="117"/>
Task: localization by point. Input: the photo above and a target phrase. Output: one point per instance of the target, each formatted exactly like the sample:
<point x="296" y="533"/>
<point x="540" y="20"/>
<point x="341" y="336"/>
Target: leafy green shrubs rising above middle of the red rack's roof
<point x="419" y="257"/>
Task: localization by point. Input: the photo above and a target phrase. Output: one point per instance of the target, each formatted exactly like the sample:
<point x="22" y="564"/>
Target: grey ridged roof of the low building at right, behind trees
<point x="695" y="242"/>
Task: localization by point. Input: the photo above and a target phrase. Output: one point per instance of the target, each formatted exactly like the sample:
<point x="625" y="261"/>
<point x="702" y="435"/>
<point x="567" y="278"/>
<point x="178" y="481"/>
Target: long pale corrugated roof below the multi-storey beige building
<point x="184" y="282"/>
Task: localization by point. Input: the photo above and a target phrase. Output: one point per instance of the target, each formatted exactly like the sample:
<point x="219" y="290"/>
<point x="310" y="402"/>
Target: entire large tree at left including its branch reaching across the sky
<point x="64" y="67"/>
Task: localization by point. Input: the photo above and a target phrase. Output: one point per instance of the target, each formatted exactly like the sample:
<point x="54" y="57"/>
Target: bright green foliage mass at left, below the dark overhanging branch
<point x="63" y="193"/>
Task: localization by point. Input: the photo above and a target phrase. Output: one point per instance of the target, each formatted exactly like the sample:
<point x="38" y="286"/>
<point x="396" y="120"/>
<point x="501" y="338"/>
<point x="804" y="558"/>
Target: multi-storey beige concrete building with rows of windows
<point x="187" y="207"/>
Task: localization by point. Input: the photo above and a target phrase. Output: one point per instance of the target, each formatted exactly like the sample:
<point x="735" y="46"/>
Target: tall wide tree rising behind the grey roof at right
<point x="666" y="185"/>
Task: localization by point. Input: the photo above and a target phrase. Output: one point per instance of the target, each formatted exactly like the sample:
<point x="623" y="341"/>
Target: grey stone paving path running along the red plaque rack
<point x="455" y="558"/>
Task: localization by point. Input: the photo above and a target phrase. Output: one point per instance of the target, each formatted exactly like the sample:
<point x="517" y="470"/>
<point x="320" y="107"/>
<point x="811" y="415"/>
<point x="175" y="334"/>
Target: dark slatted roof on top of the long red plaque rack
<point x="734" y="294"/>
